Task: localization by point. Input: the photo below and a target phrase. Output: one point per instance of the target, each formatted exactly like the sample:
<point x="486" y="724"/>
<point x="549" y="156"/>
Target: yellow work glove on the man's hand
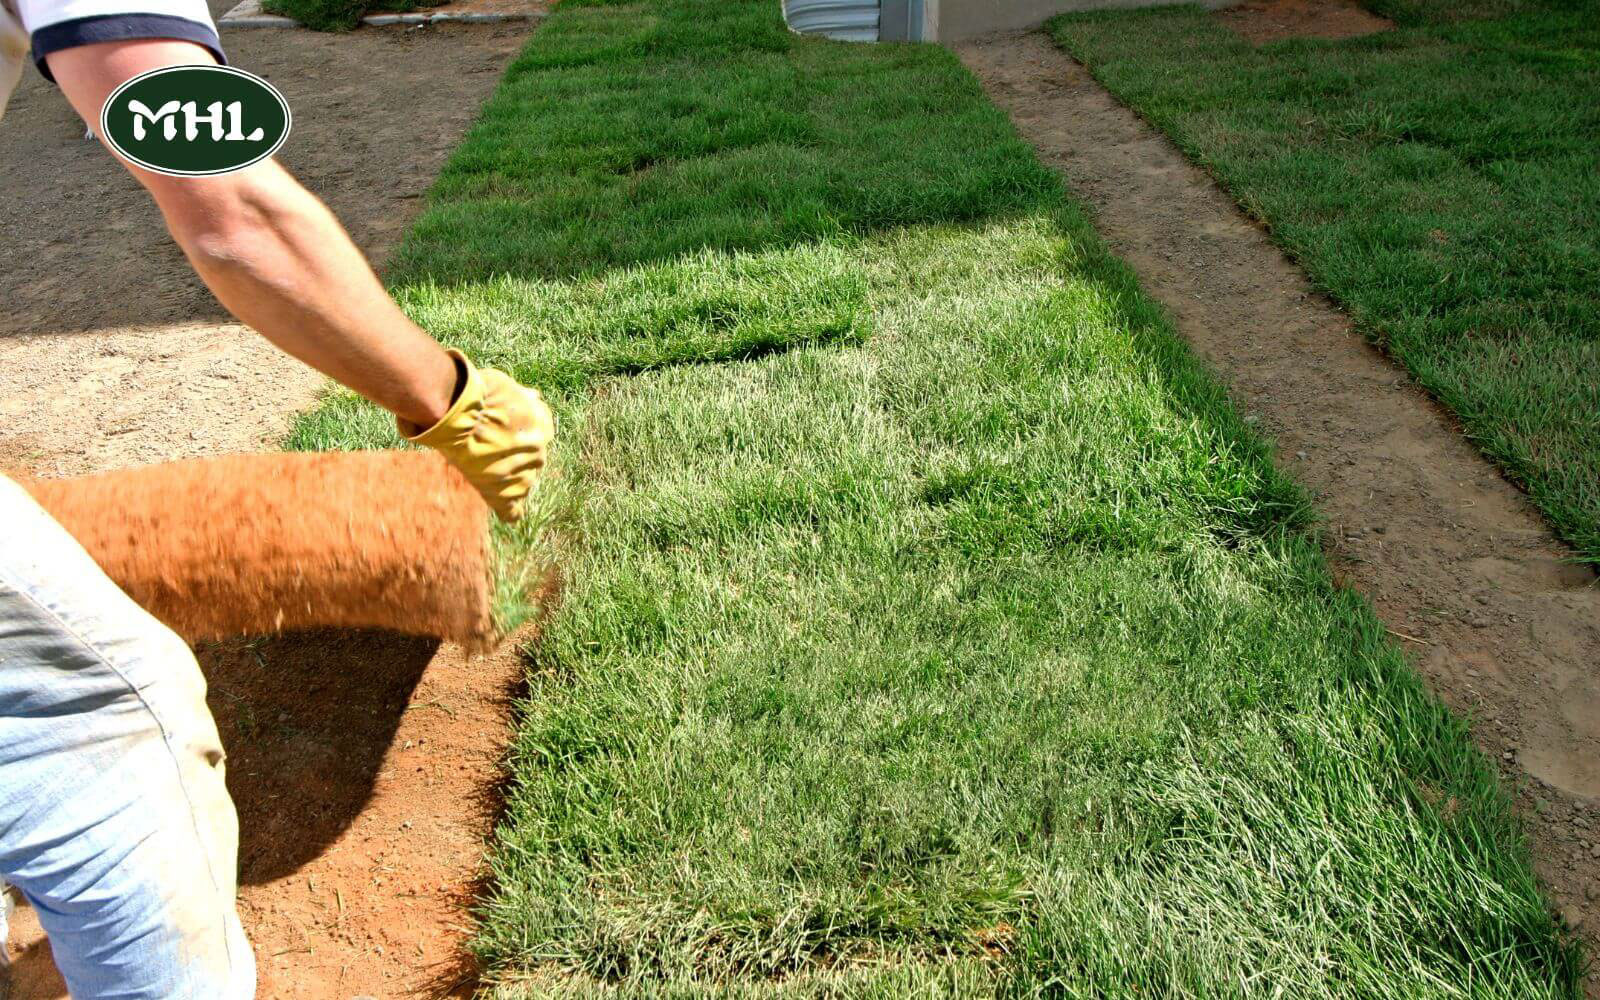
<point x="497" y="433"/>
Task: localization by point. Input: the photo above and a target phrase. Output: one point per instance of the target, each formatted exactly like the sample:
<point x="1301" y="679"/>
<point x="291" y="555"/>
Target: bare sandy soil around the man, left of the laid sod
<point x="364" y="766"/>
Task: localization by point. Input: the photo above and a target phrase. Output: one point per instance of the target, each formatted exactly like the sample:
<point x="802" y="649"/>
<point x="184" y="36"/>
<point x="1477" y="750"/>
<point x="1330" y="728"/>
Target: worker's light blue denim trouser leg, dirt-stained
<point x="114" y="820"/>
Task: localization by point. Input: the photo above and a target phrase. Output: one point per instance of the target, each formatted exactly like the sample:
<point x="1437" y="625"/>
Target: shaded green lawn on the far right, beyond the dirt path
<point x="1442" y="183"/>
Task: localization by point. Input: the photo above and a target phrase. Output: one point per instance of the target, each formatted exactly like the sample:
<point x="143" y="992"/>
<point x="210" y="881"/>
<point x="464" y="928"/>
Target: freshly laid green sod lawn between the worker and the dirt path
<point x="932" y="626"/>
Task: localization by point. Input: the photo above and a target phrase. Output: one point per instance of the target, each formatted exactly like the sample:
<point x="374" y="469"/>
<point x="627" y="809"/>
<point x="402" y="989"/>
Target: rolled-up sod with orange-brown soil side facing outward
<point x="254" y="545"/>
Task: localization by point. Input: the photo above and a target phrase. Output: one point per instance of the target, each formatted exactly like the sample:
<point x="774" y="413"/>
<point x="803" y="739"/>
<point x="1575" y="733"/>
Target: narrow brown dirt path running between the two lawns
<point x="1457" y="562"/>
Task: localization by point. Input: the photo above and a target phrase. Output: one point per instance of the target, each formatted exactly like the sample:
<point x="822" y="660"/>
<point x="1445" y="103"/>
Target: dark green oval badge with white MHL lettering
<point x="196" y="121"/>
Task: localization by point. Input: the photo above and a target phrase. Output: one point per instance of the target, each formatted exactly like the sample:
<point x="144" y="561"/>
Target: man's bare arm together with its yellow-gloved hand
<point x="279" y="262"/>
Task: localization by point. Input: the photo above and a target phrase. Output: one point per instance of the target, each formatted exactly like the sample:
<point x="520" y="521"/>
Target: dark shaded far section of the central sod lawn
<point x="625" y="138"/>
